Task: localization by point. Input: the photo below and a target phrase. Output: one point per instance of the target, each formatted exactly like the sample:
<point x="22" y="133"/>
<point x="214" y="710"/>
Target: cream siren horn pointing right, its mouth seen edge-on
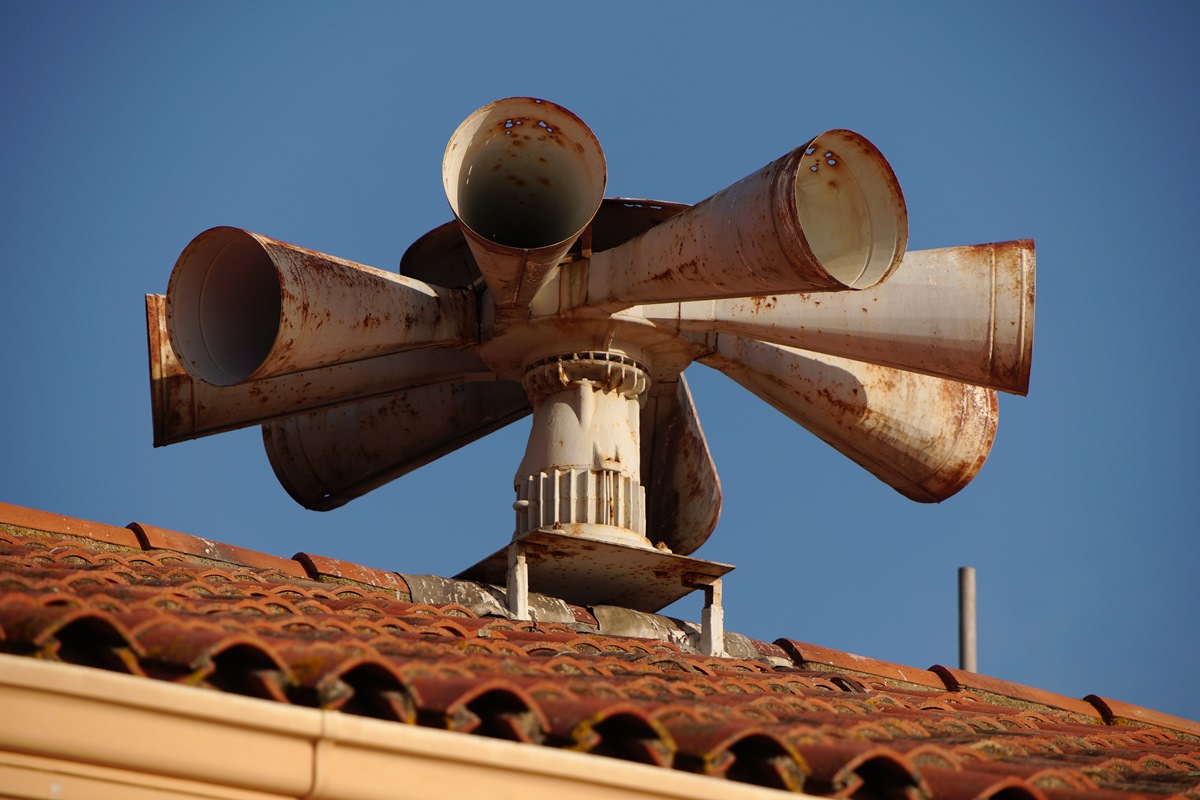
<point x="963" y="314"/>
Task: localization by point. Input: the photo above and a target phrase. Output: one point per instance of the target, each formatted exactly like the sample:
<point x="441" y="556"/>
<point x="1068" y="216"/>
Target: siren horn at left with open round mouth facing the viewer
<point x="242" y="306"/>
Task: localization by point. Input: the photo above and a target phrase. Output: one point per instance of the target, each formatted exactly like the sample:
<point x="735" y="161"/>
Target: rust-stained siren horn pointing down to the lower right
<point x="925" y="437"/>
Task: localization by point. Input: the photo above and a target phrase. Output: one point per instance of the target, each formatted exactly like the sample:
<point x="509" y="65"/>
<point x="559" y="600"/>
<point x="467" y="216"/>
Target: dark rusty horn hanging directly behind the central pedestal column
<point x="683" y="492"/>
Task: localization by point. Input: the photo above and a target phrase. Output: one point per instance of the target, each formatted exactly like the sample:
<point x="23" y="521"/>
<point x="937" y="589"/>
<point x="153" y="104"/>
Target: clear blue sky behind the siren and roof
<point x="128" y="129"/>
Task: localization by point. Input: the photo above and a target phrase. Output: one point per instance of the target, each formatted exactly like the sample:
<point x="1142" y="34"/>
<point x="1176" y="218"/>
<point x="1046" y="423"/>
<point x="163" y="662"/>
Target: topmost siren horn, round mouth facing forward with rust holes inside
<point x="525" y="178"/>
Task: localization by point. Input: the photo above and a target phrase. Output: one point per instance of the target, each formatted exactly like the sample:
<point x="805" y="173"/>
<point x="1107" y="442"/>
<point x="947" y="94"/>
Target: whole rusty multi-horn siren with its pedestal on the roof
<point x="545" y="298"/>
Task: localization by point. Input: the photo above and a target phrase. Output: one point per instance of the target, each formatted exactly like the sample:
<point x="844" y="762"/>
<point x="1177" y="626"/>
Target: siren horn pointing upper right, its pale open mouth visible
<point x="827" y="216"/>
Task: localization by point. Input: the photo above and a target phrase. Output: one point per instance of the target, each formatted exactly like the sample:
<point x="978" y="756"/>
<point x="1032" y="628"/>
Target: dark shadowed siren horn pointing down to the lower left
<point x="327" y="459"/>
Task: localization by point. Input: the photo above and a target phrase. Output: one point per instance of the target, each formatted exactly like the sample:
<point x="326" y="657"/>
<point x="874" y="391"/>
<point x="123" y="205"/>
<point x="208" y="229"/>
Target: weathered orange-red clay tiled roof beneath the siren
<point x="419" y="651"/>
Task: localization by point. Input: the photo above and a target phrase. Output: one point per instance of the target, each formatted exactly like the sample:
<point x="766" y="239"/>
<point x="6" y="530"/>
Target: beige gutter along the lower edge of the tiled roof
<point x="88" y="735"/>
